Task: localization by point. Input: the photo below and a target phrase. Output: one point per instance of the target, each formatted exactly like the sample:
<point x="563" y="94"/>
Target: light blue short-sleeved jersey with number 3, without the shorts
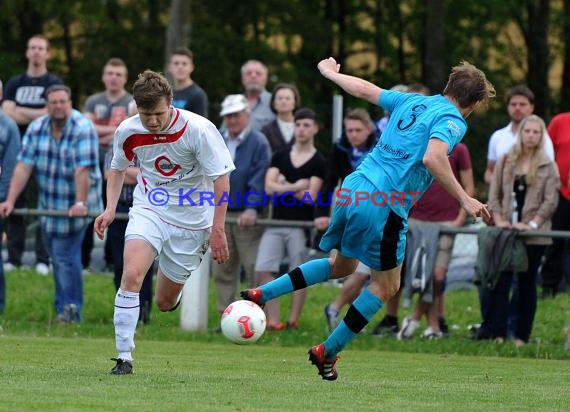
<point x="395" y="165"/>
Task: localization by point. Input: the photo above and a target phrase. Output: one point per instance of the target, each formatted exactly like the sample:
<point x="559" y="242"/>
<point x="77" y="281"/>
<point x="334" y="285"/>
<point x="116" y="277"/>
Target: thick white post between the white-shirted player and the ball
<point x="194" y="304"/>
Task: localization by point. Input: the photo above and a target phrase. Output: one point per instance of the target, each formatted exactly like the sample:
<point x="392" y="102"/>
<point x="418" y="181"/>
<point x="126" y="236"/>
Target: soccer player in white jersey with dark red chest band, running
<point x="178" y="208"/>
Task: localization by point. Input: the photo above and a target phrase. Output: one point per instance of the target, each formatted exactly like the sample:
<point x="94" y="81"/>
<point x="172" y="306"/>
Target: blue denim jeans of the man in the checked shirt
<point x="65" y="253"/>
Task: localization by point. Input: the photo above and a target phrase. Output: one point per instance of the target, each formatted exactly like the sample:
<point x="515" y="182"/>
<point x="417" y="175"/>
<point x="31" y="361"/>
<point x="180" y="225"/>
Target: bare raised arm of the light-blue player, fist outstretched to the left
<point x="355" y="86"/>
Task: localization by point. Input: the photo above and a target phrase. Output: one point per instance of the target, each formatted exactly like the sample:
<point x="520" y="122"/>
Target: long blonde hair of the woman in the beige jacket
<point x="515" y="154"/>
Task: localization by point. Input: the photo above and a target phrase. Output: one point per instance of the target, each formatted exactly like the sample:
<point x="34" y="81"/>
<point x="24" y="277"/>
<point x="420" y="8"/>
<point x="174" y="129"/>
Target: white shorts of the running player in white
<point x="179" y="251"/>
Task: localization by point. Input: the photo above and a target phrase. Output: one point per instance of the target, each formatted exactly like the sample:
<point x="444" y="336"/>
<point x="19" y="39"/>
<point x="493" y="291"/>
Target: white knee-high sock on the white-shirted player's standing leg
<point x="126" y="316"/>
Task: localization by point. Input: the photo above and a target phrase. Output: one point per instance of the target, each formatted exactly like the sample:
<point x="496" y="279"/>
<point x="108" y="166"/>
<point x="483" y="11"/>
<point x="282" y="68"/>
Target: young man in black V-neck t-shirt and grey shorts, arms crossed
<point x="293" y="180"/>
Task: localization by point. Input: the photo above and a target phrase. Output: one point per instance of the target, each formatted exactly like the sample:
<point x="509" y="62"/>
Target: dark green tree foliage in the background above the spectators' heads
<point x="383" y="41"/>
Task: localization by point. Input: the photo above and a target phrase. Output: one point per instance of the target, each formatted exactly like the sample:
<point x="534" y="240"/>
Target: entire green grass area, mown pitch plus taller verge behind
<point x="45" y="366"/>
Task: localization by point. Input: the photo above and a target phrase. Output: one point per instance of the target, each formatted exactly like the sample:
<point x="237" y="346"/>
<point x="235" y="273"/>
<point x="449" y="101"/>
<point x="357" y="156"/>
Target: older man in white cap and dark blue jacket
<point x="251" y="155"/>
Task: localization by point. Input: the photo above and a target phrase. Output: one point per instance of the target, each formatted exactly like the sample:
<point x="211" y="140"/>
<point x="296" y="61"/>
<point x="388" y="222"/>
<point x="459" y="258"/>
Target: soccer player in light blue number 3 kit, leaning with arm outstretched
<point x="369" y="220"/>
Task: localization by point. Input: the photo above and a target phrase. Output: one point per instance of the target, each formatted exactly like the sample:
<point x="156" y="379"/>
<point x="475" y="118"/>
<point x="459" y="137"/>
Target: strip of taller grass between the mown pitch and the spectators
<point x="29" y="312"/>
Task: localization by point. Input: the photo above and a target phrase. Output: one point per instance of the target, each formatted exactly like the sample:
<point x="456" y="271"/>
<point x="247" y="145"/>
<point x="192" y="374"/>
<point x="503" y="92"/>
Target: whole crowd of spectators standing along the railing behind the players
<point x="65" y="155"/>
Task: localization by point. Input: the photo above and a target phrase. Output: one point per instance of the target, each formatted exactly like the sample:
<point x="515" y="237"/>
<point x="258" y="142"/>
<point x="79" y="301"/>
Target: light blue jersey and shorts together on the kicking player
<point x="370" y="216"/>
